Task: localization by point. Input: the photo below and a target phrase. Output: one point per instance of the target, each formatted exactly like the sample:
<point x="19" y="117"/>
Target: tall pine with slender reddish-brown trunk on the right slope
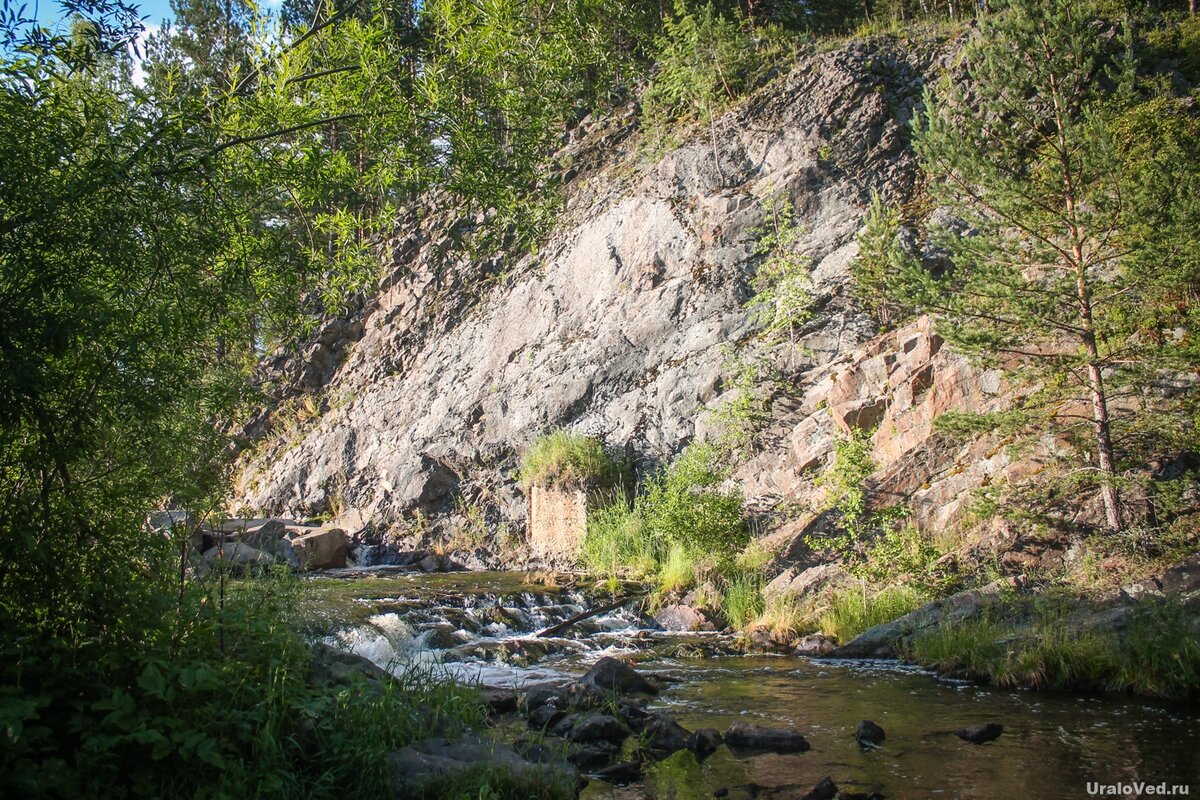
<point x="1022" y="153"/>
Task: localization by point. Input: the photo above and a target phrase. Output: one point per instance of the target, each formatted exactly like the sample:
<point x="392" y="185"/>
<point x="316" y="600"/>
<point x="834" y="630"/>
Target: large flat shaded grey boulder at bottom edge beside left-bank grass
<point x="424" y="762"/>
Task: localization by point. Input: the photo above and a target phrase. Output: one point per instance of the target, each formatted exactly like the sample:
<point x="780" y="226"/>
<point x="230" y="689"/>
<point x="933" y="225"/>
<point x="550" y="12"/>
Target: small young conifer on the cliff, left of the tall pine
<point x="880" y="260"/>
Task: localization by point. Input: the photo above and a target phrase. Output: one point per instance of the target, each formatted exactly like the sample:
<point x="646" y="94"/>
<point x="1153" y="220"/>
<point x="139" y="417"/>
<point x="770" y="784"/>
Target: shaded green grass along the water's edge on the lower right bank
<point x="1159" y="654"/>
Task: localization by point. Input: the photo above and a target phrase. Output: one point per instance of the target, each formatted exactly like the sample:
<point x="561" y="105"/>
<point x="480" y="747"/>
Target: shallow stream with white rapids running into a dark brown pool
<point x="481" y="628"/>
